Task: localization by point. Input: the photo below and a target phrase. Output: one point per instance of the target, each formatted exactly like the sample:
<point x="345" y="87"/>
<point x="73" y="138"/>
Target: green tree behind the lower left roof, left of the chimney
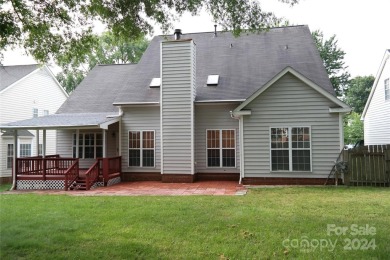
<point x="108" y="50"/>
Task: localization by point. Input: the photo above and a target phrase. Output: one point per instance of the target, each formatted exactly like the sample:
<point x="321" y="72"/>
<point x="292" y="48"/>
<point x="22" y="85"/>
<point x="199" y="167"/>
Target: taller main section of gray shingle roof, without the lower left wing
<point x="244" y="63"/>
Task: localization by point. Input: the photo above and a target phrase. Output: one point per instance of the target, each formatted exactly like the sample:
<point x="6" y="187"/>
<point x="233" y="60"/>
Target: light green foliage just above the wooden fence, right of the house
<point x="353" y="128"/>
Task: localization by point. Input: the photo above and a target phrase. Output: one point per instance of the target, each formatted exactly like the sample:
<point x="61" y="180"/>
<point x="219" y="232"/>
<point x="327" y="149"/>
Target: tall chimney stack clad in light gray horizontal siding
<point x="177" y="106"/>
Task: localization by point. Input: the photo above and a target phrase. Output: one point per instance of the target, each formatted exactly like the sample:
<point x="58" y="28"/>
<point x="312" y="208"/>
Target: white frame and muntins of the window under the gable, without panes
<point x="290" y="149"/>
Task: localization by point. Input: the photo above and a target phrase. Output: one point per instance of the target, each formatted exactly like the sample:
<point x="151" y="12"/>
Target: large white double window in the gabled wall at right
<point x="290" y="149"/>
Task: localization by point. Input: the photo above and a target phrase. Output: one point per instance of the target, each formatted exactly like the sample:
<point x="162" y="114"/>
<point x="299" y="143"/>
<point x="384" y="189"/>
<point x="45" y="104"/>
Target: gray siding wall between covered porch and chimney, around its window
<point x="146" y="118"/>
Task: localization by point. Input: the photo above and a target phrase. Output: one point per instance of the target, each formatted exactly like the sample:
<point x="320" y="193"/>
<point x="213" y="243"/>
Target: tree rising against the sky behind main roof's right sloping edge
<point x="333" y="58"/>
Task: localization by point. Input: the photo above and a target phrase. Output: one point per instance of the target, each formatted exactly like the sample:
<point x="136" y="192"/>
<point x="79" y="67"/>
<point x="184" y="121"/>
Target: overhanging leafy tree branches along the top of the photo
<point x="50" y="29"/>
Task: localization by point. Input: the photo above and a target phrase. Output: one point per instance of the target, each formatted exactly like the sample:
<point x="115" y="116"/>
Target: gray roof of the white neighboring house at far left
<point x="11" y="74"/>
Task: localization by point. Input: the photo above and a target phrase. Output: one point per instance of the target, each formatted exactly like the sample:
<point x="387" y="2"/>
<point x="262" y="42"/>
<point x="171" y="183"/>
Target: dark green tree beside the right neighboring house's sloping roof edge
<point x="358" y="91"/>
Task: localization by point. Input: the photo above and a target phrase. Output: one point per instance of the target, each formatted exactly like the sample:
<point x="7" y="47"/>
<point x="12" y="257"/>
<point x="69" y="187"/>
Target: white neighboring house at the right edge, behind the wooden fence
<point x="376" y="113"/>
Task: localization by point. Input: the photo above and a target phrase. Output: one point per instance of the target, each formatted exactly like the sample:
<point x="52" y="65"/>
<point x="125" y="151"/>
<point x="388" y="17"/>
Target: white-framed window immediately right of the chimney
<point x="221" y="148"/>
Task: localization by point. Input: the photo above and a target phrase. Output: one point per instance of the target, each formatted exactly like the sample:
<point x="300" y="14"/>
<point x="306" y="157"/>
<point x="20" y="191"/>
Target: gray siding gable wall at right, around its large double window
<point x="289" y="103"/>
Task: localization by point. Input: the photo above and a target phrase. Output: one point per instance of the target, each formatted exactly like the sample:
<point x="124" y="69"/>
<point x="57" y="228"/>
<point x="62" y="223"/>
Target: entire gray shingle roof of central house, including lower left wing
<point x="244" y="64"/>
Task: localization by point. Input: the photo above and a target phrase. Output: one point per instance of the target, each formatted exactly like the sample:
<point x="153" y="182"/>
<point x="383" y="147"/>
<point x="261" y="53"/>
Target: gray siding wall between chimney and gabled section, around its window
<point x="213" y="117"/>
